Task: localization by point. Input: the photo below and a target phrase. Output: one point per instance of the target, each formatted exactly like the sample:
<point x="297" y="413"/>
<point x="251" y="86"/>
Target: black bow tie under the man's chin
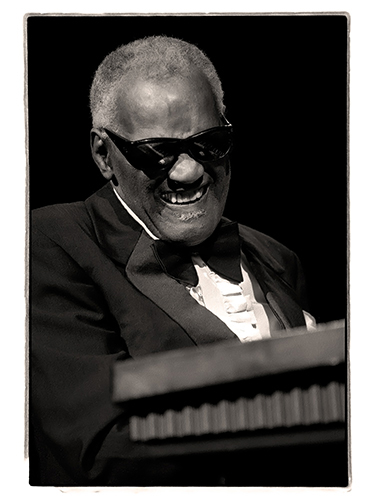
<point x="221" y="252"/>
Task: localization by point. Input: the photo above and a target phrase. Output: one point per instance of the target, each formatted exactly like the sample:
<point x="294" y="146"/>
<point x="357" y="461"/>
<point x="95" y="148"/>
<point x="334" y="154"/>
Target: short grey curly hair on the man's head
<point x="153" y="58"/>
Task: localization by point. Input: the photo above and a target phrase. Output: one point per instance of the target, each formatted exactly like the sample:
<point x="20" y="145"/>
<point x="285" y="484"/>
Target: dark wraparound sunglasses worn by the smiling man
<point x="157" y="155"/>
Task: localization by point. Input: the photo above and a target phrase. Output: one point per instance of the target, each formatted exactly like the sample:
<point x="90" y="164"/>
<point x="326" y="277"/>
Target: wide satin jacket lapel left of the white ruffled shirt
<point x="144" y="271"/>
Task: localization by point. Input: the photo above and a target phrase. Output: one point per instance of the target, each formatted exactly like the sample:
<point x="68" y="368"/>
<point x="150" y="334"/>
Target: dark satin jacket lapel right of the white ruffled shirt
<point x="279" y="295"/>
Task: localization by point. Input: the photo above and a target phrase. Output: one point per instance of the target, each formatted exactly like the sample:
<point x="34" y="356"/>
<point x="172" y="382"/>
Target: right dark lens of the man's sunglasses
<point x="211" y="146"/>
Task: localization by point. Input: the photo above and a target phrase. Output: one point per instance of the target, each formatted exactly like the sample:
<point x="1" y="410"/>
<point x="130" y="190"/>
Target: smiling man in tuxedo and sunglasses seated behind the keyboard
<point x="146" y="264"/>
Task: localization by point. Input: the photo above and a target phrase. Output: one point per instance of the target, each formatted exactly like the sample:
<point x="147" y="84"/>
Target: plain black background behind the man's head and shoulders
<point x="285" y="83"/>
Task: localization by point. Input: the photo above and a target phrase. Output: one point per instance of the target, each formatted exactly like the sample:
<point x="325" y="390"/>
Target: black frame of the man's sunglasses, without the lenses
<point x="124" y="145"/>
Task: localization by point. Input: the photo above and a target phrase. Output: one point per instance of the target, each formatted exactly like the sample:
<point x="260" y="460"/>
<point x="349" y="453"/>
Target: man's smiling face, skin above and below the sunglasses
<point x="185" y="204"/>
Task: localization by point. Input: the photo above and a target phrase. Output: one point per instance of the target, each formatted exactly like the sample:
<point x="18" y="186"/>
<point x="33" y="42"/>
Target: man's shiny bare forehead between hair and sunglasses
<point x="177" y="106"/>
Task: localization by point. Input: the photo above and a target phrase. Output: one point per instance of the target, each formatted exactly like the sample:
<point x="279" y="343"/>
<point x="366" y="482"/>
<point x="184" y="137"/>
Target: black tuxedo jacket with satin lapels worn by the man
<point x="98" y="295"/>
